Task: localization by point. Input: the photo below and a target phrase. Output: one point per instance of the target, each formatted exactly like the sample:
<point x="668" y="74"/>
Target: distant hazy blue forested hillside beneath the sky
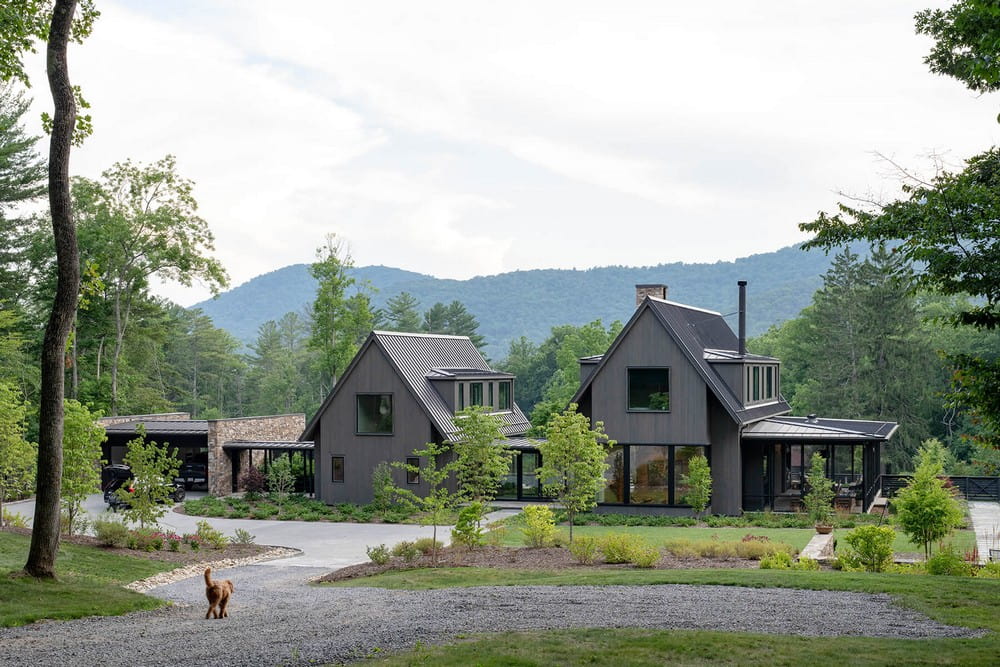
<point x="530" y="303"/>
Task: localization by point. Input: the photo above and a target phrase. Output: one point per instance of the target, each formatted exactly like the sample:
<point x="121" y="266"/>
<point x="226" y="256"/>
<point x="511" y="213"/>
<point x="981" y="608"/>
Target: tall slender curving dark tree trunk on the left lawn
<point x="45" y="535"/>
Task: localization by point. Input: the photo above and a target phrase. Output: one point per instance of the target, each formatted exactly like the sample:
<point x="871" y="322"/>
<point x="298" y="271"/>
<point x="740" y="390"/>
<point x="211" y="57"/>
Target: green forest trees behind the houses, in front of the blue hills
<point x="871" y="345"/>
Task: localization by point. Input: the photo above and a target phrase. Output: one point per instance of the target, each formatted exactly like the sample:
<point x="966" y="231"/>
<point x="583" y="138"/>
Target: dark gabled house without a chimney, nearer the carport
<point x="401" y="391"/>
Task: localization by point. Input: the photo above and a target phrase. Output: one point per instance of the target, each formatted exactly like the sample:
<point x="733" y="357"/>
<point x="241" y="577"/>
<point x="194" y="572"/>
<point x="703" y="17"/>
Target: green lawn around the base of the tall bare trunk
<point x="89" y="583"/>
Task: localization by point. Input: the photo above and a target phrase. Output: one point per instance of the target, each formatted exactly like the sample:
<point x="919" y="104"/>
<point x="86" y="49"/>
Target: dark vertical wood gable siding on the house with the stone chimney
<point x="649" y="344"/>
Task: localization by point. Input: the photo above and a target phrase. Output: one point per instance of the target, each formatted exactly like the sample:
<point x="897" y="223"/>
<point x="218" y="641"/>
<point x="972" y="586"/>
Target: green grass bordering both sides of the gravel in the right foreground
<point x="962" y="601"/>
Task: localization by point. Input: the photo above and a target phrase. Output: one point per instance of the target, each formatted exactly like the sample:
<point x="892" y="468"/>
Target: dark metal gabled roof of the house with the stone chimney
<point x="696" y="331"/>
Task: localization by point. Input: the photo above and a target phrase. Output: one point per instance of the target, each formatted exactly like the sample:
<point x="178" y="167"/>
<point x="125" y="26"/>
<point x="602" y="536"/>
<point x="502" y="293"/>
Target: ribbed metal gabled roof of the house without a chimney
<point x="419" y="358"/>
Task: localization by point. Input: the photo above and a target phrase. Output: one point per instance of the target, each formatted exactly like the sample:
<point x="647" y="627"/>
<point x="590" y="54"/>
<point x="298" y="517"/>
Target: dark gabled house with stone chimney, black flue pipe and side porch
<point x="677" y="382"/>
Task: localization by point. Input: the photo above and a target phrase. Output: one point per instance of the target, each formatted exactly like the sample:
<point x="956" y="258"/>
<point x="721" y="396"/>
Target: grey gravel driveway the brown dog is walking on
<point x="278" y="619"/>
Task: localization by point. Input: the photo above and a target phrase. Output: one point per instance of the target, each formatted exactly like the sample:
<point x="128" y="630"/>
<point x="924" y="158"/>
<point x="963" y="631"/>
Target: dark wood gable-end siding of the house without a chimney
<point x="411" y="430"/>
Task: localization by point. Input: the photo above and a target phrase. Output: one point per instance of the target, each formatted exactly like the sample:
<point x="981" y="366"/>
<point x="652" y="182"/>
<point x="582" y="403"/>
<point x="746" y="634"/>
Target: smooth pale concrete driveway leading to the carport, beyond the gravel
<point x="328" y="545"/>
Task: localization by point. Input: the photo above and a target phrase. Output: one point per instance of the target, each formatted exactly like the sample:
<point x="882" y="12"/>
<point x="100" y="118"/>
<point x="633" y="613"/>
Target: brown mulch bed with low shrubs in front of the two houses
<point x="525" y="559"/>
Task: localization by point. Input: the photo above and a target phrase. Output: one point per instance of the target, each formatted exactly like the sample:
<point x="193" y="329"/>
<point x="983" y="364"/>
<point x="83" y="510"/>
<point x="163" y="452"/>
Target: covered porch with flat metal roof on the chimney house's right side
<point x="776" y="454"/>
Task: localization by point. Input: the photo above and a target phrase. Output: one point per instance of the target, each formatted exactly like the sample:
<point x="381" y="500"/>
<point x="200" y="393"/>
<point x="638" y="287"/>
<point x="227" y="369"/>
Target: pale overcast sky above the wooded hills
<point x="471" y="138"/>
